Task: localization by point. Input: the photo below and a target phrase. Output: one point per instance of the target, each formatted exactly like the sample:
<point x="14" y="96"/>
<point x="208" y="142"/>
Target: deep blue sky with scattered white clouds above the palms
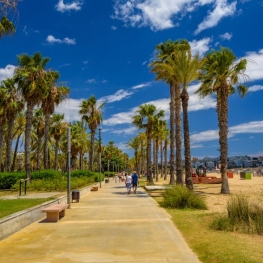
<point x="104" y="47"/>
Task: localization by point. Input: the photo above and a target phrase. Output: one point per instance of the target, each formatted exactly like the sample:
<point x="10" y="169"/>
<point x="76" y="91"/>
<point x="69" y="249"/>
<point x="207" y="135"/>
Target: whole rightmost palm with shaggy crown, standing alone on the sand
<point x="219" y="73"/>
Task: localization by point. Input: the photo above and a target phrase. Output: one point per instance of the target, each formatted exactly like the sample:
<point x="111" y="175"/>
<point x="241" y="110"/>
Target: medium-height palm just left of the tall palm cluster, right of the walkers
<point x="146" y="117"/>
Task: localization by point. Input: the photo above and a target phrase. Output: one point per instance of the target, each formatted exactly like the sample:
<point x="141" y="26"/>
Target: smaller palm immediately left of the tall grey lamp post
<point x="58" y="127"/>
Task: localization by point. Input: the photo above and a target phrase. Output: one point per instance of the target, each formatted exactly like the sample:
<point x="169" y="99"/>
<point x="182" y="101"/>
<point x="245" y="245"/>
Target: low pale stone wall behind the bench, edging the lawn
<point x="15" y="222"/>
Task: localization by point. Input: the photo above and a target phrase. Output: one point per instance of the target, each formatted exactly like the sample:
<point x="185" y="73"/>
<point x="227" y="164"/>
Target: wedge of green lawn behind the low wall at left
<point x="8" y="207"/>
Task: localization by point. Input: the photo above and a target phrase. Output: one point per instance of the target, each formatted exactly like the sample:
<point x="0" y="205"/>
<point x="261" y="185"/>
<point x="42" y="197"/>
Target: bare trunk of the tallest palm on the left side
<point x="29" y="115"/>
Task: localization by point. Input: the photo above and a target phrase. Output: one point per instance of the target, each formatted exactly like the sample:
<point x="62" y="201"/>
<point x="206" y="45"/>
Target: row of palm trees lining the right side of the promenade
<point x="219" y="74"/>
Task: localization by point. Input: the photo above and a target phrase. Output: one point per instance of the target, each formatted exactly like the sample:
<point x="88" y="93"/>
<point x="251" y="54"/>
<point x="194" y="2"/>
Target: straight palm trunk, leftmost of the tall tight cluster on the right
<point x="172" y="133"/>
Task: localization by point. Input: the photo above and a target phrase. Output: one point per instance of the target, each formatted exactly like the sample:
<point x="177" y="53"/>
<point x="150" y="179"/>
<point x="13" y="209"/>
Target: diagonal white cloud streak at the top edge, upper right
<point x="222" y="9"/>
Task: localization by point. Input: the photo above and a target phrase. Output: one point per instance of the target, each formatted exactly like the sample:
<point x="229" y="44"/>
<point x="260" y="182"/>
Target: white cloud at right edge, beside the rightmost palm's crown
<point x="255" y="65"/>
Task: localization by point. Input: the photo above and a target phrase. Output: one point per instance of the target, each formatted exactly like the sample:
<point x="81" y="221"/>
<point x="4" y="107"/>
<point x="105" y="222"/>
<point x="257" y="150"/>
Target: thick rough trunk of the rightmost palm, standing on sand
<point x="223" y="131"/>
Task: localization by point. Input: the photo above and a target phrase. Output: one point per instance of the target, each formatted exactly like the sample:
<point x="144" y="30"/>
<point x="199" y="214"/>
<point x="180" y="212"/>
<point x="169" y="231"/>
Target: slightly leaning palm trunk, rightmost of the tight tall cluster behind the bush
<point x="187" y="152"/>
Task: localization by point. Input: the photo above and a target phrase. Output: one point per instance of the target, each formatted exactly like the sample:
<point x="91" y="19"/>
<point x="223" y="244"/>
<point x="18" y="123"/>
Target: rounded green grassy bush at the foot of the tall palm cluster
<point x="181" y="197"/>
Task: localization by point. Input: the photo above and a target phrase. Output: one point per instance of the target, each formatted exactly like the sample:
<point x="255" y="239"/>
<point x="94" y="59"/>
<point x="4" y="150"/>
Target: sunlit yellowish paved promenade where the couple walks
<point x="105" y="226"/>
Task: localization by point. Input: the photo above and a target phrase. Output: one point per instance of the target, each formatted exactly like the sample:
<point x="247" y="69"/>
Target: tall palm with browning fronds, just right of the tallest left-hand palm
<point x="54" y="98"/>
